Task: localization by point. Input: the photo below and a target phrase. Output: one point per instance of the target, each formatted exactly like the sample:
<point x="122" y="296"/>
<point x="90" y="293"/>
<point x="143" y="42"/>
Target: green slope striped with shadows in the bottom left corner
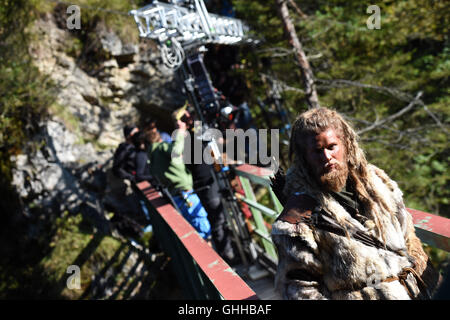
<point x="41" y="271"/>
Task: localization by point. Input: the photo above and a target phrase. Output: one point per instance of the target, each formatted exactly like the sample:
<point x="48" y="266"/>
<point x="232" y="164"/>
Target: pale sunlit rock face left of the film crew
<point x="70" y="170"/>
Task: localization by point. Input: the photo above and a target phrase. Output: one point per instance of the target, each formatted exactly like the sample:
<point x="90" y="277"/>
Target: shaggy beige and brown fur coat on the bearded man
<point x="316" y="264"/>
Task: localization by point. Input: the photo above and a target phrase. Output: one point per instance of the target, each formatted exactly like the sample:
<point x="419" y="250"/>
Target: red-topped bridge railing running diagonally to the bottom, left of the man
<point x="201" y="272"/>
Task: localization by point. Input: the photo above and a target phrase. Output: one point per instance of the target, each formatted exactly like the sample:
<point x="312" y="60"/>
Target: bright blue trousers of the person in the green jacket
<point x="195" y="214"/>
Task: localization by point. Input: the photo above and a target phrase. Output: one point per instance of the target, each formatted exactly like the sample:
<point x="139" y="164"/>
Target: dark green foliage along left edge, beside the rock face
<point x="25" y="93"/>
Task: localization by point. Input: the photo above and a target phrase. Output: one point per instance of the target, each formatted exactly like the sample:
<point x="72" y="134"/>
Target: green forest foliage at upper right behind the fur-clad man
<point x="410" y="53"/>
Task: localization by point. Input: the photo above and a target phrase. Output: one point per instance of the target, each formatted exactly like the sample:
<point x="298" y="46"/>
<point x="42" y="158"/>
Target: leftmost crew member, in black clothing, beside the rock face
<point x="124" y="156"/>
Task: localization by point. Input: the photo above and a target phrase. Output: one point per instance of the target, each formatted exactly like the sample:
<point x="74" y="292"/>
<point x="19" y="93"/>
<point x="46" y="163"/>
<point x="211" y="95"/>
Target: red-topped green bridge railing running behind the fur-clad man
<point x="431" y="229"/>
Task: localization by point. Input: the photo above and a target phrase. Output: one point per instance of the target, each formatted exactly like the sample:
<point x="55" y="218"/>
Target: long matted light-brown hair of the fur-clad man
<point x="313" y="122"/>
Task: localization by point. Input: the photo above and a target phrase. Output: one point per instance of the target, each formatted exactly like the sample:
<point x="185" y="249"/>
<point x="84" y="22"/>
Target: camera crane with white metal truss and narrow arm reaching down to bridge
<point x="182" y="29"/>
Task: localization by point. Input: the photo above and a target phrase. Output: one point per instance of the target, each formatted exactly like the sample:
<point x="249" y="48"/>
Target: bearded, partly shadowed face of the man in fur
<point x="325" y="156"/>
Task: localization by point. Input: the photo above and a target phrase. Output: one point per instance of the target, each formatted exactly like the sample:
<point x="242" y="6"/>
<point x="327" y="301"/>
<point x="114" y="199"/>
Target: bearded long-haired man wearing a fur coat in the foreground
<point x="344" y="232"/>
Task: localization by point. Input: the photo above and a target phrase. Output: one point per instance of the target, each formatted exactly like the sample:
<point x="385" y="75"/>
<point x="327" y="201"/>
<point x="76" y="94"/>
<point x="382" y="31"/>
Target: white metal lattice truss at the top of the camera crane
<point x="176" y="27"/>
